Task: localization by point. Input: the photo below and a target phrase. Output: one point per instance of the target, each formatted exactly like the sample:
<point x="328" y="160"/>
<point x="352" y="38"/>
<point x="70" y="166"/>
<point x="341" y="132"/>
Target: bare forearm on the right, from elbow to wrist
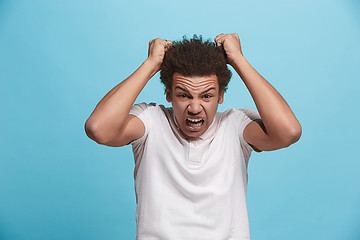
<point x="279" y="120"/>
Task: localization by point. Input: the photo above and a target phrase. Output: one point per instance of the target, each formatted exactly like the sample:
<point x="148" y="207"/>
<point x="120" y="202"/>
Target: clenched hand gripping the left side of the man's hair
<point x="157" y="49"/>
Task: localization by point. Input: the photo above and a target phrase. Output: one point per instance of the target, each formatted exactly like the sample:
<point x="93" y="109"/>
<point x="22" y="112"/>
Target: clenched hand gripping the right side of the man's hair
<point x="231" y="45"/>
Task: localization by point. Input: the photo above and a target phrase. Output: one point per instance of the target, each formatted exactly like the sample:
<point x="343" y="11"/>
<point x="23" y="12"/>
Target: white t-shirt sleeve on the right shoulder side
<point x="243" y="117"/>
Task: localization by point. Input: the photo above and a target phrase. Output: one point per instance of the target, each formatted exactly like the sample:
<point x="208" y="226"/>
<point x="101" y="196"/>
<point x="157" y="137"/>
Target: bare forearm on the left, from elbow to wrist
<point x="113" y="109"/>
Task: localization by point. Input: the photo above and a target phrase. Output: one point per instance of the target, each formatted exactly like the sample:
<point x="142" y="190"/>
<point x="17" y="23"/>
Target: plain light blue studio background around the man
<point x="59" y="58"/>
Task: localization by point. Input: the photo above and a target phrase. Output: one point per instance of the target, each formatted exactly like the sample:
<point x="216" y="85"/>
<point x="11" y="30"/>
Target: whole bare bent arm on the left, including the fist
<point x="110" y="123"/>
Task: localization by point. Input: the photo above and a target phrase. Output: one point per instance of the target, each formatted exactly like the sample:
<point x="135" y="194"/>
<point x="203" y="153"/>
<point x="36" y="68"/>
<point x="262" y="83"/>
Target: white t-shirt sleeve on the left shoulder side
<point x="143" y="112"/>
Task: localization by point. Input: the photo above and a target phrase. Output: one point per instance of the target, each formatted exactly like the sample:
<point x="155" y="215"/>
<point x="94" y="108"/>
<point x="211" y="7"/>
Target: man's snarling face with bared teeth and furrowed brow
<point x="195" y="101"/>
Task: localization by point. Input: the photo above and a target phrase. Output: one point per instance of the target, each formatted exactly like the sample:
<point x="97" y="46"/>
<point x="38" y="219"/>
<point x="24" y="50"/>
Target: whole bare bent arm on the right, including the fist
<point x="280" y="126"/>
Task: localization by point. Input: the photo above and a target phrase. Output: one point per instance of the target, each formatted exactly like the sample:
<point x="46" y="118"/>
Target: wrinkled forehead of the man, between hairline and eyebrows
<point x="195" y="82"/>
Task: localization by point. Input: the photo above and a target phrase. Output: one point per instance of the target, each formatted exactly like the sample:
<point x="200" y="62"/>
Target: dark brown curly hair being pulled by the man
<point x="195" y="57"/>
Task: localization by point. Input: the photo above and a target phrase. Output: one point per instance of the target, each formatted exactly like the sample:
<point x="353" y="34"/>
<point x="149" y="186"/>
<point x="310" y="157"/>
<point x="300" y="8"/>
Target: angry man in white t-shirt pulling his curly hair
<point x="190" y="160"/>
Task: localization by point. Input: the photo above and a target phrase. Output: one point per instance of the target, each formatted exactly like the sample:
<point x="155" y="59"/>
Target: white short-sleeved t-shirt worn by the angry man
<point x="191" y="190"/>
